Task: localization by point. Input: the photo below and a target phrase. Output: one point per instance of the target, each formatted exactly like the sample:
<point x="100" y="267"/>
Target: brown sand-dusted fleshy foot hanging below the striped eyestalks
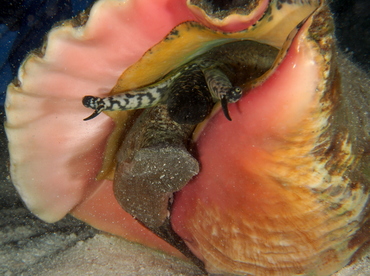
<point x="152" y="164"/>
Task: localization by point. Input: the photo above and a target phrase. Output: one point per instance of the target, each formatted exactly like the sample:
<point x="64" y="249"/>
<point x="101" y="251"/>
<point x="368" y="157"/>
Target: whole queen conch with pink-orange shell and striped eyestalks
<point x="238" y="137"/>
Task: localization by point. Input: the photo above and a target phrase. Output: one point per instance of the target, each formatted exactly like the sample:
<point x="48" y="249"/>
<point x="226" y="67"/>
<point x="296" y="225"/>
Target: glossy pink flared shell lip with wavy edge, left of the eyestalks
<point x="55" y="155"/>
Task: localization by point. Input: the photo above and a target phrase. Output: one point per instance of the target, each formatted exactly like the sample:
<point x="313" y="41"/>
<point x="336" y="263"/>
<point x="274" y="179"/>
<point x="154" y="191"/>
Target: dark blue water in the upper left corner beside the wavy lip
<point x="23" y="25"/>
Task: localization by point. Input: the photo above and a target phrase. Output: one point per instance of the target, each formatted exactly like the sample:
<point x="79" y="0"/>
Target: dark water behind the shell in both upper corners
<point x="24" y="23"/>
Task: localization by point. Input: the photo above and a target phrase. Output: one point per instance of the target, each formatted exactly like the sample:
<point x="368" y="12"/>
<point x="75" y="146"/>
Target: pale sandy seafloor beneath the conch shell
<point x="29" y="246"/>
